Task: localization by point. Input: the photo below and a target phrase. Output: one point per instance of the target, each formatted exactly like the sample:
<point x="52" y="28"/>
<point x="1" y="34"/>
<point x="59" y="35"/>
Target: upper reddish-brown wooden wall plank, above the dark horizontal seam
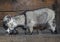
<point x="24" y="4"/>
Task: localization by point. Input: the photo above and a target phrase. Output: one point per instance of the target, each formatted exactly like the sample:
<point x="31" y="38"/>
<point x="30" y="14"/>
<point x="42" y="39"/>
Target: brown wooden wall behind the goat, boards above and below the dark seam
<point x="14" y="7"/>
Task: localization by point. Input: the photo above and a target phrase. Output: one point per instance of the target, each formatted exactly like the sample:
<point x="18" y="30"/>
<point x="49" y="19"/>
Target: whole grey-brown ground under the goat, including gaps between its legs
<point x="44" y="36"/>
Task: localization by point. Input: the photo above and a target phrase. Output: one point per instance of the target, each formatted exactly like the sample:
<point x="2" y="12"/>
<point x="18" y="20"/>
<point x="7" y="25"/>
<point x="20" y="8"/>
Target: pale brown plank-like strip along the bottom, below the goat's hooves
<point x="30" y="38"/>
